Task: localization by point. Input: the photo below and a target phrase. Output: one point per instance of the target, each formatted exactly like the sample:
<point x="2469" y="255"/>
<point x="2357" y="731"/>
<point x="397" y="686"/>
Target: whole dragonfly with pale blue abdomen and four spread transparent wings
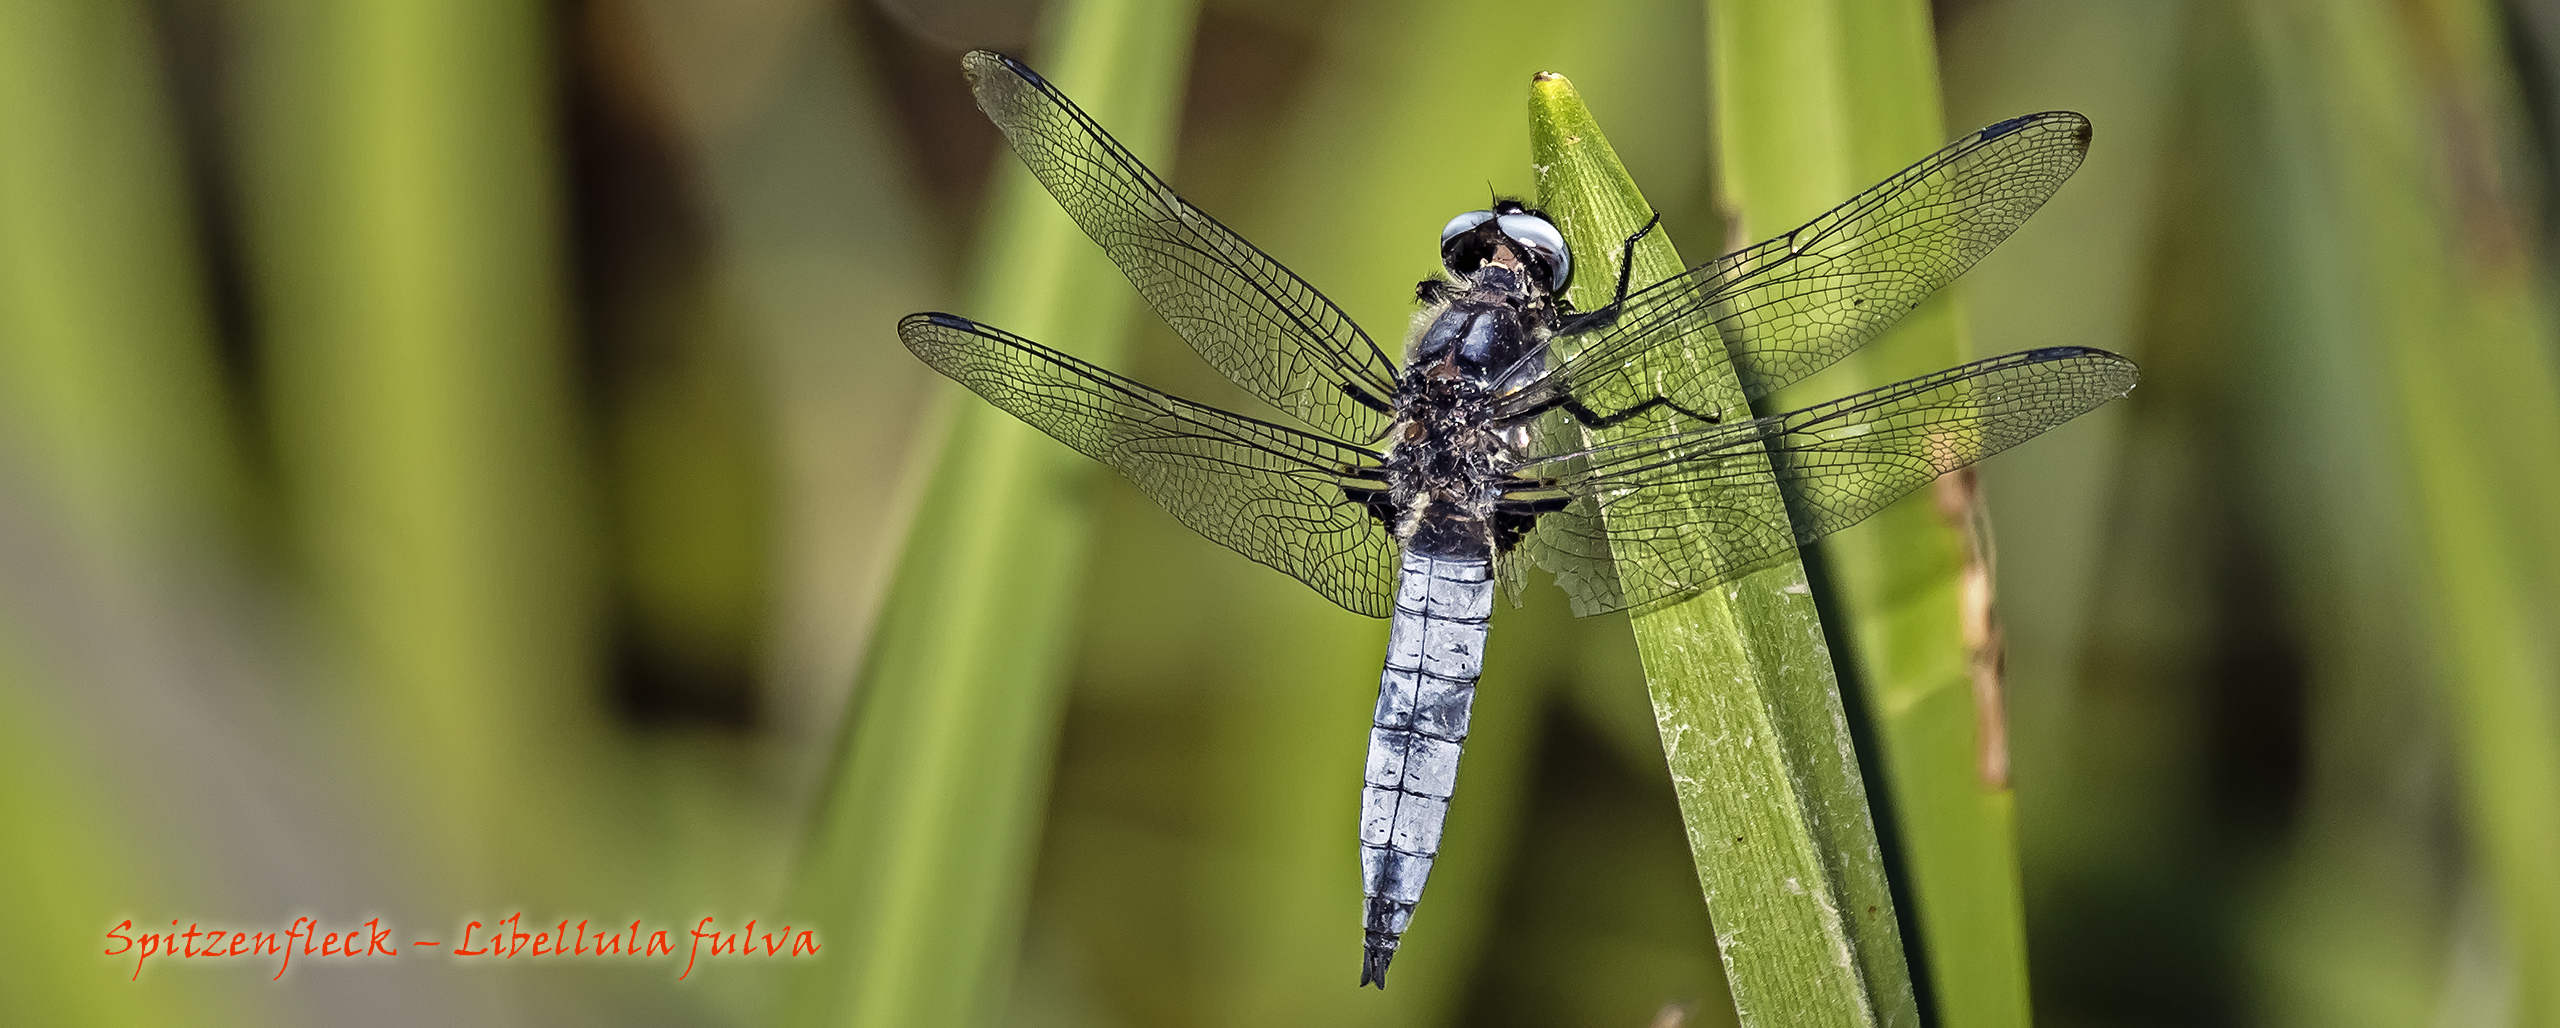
<point x="1614" y="449"/>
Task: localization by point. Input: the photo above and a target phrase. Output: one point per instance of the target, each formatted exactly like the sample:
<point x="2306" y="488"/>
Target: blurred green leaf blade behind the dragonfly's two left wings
<point x="923" y="850"/>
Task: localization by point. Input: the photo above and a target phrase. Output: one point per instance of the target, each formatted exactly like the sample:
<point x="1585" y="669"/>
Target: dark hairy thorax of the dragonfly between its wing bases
<point x="1445" y="454"/>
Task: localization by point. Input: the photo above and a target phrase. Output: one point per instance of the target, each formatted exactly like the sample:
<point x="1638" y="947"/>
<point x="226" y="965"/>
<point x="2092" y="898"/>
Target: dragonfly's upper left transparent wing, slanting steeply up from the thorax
<point x="1245" y="313"/>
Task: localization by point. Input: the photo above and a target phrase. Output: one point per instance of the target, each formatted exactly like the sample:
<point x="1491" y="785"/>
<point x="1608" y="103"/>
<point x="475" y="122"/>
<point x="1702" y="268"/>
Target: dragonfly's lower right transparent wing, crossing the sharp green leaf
<point x="1668" y="515"/>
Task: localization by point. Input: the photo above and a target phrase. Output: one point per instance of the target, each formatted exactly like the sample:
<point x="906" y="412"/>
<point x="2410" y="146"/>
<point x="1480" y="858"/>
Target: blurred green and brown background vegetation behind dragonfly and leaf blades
<point x="454" y="456"/>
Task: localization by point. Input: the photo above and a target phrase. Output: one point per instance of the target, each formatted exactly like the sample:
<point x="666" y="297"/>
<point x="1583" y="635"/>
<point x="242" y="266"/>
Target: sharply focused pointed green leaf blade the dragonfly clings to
<point x="1745" y="699"/>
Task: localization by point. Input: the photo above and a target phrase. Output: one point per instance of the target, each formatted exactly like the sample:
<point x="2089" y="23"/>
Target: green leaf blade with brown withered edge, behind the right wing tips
<point x="1814" y="104"/>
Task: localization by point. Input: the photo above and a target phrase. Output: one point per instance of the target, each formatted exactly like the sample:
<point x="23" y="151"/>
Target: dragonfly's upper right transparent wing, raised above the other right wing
<point x="1798" y="303"/>
